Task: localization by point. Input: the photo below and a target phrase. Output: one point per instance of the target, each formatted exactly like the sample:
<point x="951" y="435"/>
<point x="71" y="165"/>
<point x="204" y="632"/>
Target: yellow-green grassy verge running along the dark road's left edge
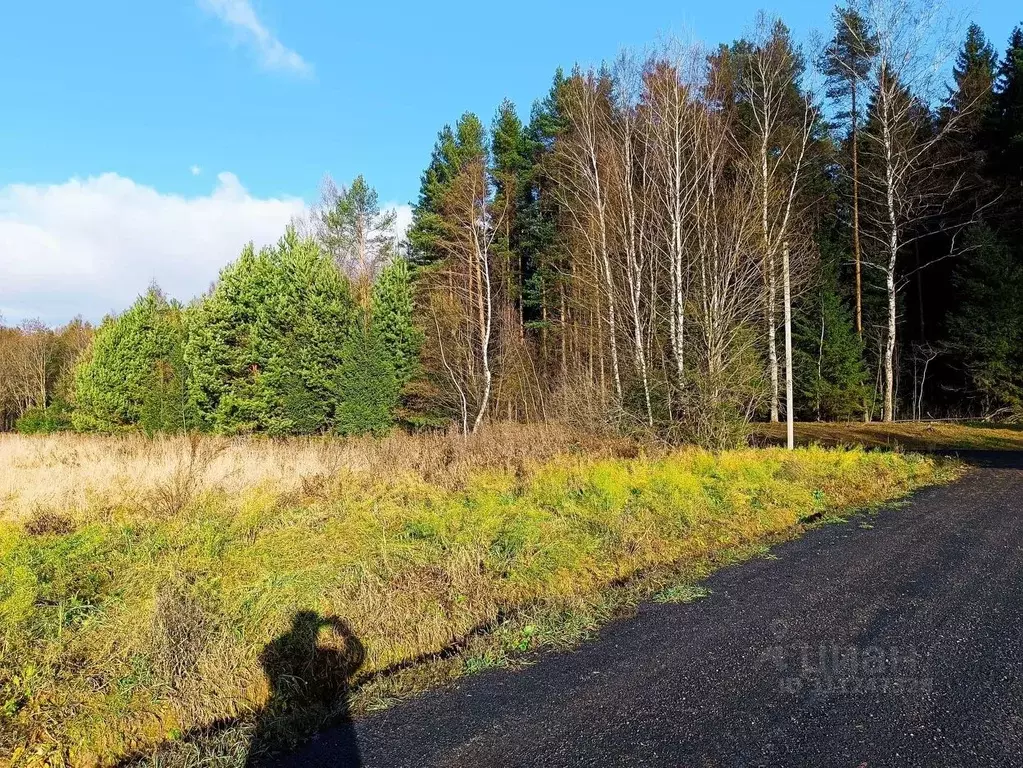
<point x="230" y="618"/>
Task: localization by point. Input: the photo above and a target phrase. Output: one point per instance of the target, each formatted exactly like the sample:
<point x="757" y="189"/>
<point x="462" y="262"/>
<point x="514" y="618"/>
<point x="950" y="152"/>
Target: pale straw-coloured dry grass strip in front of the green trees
<point x="84" y="475"/>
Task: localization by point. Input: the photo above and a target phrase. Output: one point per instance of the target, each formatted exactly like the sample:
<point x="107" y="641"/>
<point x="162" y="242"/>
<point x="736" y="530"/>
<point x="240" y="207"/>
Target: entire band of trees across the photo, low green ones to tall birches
<point x="619" y="261"/>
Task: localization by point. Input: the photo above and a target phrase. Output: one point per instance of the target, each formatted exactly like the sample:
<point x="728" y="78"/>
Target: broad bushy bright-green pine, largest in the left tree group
<point x="265" y="346"/>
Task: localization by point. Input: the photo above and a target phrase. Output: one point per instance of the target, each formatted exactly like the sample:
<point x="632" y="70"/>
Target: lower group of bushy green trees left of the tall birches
<point x="313" y="335"/>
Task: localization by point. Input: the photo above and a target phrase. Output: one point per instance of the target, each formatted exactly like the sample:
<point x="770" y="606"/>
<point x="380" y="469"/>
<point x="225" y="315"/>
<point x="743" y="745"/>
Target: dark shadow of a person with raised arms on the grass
<point x="309" y="688"/>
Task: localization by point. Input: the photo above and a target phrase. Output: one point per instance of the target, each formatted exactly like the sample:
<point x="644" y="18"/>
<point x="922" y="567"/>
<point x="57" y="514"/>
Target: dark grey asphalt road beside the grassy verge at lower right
<point x="893" y="641"/>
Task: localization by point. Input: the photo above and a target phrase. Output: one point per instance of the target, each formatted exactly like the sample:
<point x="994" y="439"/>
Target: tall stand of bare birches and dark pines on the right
<point x="620" y="256"/>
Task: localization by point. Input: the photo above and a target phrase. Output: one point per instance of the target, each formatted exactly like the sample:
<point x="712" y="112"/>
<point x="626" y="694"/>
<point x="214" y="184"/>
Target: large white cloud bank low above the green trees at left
<point x="92" y="246"/>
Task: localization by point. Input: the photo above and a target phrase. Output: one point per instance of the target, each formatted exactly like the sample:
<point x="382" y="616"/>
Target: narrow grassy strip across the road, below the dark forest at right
<point x="912" y="436"/>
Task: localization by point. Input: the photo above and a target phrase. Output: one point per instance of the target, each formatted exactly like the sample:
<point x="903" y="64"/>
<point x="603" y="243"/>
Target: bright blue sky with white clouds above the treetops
<point x="233" y="111"/>
